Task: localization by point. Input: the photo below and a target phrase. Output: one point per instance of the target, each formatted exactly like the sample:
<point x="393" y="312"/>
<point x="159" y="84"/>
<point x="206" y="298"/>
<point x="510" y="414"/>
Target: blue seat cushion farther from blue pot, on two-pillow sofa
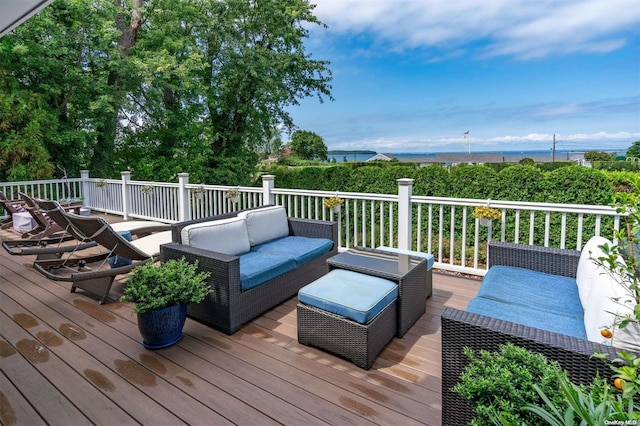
<point x="302" y="249"/>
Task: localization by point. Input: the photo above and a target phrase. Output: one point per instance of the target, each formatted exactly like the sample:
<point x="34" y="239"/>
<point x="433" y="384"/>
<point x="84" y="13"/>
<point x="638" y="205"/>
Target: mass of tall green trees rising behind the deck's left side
<point x="154" y="86"/>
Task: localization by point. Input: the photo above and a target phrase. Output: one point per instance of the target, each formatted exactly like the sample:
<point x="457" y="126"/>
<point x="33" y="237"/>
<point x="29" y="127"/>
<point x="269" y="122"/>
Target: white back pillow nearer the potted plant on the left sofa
<point x="227" y="236"/>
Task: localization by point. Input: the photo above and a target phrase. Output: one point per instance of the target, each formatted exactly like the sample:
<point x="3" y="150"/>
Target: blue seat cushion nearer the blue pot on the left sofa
<point x="257" y="268"/>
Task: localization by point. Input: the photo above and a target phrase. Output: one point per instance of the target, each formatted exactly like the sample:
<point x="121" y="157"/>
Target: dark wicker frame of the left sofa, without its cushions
<point x="229" y="307"/>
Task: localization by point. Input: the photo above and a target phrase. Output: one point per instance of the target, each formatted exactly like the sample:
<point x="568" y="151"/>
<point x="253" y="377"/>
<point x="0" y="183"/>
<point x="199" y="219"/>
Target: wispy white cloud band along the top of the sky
<point x="521" y="28"/>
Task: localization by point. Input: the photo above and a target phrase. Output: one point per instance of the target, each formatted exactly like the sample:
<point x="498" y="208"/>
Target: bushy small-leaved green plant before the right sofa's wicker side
<point x="500" y="384"/>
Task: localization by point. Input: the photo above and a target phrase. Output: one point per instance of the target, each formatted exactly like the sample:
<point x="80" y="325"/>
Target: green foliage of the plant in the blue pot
<point x="152" y="286"/>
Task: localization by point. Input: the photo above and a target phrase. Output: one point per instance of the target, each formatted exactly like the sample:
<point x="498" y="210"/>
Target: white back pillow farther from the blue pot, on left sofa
<point x="266" y="224"/>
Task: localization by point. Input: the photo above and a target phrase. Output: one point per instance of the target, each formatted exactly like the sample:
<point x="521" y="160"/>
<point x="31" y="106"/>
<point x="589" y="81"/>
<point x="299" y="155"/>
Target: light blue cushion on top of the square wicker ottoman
<point x="355" y="296"/>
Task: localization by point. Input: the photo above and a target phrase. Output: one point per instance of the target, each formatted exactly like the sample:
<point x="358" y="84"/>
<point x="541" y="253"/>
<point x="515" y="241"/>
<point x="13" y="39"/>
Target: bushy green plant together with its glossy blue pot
<point x="161" y="294"/>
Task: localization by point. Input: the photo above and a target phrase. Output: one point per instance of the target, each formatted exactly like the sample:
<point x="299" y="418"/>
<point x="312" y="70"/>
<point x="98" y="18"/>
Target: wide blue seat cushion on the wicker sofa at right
<point x="544" y="292"/>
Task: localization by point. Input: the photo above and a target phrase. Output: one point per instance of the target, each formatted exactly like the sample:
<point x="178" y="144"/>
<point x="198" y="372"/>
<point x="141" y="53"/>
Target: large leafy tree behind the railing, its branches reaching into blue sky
<point x="219" y="75"/>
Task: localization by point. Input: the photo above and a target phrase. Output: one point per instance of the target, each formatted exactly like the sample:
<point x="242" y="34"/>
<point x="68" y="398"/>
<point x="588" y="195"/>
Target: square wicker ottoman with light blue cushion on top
<point x="348" y="314"/>
